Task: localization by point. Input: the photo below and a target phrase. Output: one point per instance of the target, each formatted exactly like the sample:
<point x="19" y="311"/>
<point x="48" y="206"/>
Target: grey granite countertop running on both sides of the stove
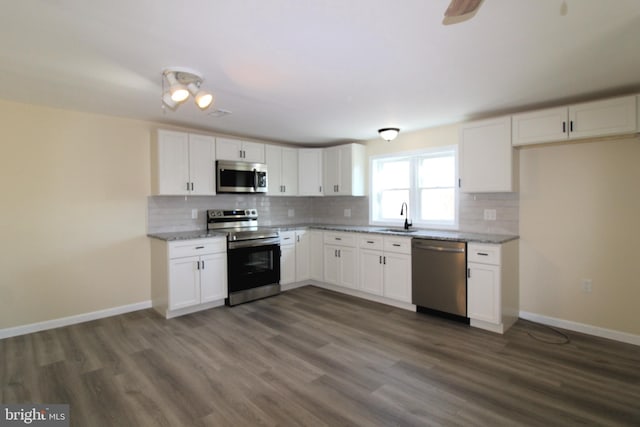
<point x="394" y="231"/>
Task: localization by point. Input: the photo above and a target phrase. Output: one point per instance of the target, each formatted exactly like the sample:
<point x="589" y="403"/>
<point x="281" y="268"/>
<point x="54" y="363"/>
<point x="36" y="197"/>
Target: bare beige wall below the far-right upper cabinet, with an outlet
<point x="579" y="219"/>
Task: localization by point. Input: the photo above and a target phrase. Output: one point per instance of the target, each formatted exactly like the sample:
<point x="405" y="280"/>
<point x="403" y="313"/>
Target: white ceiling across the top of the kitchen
<point x="314" y="72"/>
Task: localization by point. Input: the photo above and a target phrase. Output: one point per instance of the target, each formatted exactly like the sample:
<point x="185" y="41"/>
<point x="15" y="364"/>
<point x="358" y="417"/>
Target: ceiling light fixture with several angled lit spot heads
<point x="180" y="83"/>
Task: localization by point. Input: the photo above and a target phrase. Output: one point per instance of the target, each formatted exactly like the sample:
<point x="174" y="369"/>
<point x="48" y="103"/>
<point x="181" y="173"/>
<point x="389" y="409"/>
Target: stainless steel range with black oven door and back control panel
<point x="253" y="254"/>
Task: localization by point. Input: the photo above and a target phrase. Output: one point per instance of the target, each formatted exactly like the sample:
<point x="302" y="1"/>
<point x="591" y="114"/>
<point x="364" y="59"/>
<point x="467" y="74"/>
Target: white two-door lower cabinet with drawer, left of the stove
<point x="188" y="275"/>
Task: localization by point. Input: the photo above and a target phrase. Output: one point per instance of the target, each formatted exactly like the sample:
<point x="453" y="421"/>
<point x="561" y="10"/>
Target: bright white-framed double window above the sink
<point x="425" y="180"/>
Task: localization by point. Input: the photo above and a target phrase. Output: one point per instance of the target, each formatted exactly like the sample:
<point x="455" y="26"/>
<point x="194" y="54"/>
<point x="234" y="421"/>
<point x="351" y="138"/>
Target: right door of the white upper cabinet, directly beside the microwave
<point x="201" y="164"/>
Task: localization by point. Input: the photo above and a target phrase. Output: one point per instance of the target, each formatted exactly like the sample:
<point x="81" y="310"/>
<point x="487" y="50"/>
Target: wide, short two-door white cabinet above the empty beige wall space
<point x="607" y="117"/>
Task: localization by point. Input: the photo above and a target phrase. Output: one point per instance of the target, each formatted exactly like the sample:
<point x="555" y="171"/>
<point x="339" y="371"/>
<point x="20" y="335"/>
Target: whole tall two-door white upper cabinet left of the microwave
<point x="183" y="164"/>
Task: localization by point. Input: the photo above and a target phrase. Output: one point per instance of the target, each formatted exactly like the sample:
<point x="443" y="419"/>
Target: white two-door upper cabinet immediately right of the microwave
<point x="282" y="164"/>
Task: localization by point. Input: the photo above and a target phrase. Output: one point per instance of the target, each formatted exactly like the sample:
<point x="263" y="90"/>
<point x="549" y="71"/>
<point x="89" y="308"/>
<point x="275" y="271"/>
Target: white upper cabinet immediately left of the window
<point x="344" y="170"/>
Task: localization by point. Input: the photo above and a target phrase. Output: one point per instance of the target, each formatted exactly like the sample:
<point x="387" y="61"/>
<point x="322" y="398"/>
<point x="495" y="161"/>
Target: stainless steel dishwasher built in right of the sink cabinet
<point x="439" y="277"/>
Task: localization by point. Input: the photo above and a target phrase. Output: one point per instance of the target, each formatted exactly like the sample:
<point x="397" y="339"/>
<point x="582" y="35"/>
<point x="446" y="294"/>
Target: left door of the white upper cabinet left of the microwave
<point x="172" y="163"/>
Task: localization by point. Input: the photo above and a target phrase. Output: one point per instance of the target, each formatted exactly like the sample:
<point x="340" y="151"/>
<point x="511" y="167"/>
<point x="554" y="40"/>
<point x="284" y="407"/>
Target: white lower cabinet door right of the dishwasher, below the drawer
<point x="483" y="292"/>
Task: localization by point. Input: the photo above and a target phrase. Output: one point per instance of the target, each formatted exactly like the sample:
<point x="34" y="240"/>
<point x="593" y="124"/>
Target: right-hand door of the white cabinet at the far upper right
<point x="601" y="118"/>
